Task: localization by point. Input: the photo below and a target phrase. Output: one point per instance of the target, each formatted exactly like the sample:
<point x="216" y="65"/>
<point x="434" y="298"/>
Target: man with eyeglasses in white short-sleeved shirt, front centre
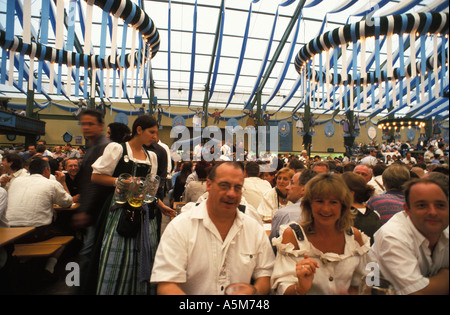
<point x="212" y="245"/>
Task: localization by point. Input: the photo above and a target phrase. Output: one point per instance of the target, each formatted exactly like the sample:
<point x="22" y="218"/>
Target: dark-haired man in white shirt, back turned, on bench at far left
<point x="30" y="203"/>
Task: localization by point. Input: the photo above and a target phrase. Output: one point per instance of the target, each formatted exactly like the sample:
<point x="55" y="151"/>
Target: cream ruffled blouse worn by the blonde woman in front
<point x="336" y="273"/>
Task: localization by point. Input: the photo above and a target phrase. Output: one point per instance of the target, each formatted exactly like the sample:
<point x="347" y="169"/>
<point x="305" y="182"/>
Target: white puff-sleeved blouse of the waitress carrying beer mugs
<point x="106" y="164"/>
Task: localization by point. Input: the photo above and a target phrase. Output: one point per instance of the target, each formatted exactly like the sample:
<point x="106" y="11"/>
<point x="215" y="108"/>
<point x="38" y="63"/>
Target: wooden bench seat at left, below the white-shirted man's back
<point x="41" y="249"/>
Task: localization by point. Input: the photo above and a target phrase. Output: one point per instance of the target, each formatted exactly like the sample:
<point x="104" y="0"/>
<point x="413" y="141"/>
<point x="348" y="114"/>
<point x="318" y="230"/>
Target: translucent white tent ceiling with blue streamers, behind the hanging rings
<point x="228" y="57"/>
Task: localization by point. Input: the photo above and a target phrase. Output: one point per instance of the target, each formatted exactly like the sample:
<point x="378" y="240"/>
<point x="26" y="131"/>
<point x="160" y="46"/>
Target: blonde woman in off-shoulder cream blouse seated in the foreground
<point x="323" y="254"/>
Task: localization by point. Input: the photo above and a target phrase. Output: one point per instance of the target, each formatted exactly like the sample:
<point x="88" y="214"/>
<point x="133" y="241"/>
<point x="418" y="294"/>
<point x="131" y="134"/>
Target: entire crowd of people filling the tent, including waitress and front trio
<point x="329" y="218"/>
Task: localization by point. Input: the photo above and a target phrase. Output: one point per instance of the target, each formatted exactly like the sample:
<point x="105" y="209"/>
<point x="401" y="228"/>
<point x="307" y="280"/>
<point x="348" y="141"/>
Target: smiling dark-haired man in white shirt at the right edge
<point x="412" y="247"/>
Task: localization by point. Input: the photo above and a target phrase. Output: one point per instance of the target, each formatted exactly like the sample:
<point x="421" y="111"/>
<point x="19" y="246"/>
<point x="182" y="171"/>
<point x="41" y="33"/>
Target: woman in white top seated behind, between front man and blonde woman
<point x="276" y="198"/>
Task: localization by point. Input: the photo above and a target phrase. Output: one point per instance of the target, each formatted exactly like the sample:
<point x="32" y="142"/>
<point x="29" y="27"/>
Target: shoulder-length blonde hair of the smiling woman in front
<point x="324" y="186"/>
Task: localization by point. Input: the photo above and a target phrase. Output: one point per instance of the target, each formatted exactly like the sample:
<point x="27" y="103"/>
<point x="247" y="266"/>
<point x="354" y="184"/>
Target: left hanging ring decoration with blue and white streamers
<point x="61" y="54"/>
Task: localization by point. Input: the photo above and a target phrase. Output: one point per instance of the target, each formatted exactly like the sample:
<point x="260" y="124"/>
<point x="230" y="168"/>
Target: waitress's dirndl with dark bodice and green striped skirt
<point x="125" y="263"/>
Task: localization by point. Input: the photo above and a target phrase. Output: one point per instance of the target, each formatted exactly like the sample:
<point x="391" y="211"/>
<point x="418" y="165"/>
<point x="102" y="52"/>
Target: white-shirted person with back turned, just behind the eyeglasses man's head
<point x="254" y="187"/>
